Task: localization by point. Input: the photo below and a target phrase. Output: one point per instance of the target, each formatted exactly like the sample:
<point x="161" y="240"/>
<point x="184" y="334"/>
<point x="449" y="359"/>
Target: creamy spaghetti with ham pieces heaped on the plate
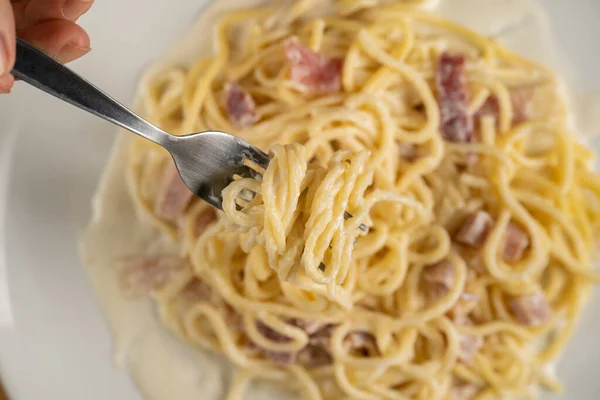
<point x="455" y="153"/>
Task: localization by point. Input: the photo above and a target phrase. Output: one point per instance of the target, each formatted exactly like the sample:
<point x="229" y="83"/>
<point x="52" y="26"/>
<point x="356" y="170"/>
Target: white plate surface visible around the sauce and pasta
<point x="51" y="156"/>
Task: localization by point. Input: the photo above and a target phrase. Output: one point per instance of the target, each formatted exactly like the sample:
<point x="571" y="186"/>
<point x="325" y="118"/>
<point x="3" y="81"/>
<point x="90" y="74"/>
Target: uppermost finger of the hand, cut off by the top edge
<point x="30" y="12"/>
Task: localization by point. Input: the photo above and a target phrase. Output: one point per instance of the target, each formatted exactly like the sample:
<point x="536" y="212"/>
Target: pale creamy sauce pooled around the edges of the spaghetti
<point x="165" y="368"/>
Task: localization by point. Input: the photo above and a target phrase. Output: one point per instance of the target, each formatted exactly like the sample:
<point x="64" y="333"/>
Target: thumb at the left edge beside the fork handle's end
<point x="7" y="44"/>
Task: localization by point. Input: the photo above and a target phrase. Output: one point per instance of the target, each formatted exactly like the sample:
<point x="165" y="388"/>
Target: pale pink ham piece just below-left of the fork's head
<point x="173" y="197"/>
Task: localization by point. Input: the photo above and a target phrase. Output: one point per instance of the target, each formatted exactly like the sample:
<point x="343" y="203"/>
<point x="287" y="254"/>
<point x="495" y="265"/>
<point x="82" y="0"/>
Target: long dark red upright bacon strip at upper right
<point x="456" y="123"/>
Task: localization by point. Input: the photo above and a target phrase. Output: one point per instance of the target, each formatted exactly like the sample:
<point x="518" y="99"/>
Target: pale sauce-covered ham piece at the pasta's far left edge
<point x="139" y="276"/>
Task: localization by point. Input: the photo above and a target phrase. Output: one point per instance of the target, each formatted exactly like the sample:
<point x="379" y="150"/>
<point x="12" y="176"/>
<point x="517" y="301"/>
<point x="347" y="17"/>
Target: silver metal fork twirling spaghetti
<point x="207" y="161"/>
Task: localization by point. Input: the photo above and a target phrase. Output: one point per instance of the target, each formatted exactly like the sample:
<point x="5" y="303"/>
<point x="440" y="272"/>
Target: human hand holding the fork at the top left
<point x="49" y="25"/>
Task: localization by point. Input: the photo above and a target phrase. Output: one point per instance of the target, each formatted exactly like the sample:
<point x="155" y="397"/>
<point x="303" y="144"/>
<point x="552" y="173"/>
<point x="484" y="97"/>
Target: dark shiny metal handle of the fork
<point x="48" y="75"/>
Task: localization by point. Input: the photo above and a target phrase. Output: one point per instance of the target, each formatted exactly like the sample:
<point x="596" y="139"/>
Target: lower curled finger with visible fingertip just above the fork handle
<point x="63" y="40"/>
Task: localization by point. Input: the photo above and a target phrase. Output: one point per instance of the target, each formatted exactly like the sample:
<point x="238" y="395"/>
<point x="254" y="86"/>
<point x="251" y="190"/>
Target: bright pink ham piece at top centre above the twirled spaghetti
<point x="314" y="72"/>
